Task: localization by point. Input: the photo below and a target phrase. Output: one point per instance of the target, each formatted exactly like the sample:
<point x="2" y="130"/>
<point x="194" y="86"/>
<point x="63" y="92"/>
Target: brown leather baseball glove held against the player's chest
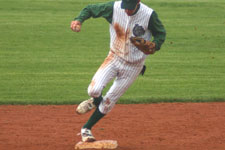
<point x="146" y="47"/>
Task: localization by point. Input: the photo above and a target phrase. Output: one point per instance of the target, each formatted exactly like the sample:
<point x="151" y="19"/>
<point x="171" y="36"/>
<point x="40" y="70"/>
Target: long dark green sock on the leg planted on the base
<point x="96" y="116"/>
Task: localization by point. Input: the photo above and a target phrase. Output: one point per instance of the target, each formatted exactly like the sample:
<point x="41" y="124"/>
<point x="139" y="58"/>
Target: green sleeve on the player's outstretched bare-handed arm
<point x="104" y="10"/>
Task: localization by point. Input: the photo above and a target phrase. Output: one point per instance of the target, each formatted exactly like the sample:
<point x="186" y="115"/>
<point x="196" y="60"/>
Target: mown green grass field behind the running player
<point x="43" y="62"/>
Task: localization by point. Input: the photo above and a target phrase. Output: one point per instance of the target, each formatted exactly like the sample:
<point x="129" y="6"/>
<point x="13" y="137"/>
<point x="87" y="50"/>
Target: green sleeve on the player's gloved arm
<point x="157" y="29"/>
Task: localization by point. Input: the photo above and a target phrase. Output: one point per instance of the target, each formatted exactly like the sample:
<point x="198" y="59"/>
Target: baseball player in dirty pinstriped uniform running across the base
<point x="132" y="25"/>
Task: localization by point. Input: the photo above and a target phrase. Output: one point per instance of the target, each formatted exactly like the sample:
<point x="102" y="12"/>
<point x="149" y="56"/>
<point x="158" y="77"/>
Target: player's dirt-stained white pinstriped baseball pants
<point x="113" y="68"/>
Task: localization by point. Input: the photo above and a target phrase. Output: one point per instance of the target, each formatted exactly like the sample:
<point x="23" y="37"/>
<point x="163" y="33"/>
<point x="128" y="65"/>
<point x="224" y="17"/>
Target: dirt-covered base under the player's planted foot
<point x="103" y="144"/>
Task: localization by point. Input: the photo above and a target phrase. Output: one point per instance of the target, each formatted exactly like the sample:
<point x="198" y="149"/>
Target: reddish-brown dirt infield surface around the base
<point x="165" y="126"/>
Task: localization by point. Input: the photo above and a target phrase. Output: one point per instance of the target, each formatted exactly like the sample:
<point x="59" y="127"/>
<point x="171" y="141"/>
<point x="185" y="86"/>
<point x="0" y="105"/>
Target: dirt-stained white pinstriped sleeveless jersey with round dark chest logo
<point x="123" y="27"/>
